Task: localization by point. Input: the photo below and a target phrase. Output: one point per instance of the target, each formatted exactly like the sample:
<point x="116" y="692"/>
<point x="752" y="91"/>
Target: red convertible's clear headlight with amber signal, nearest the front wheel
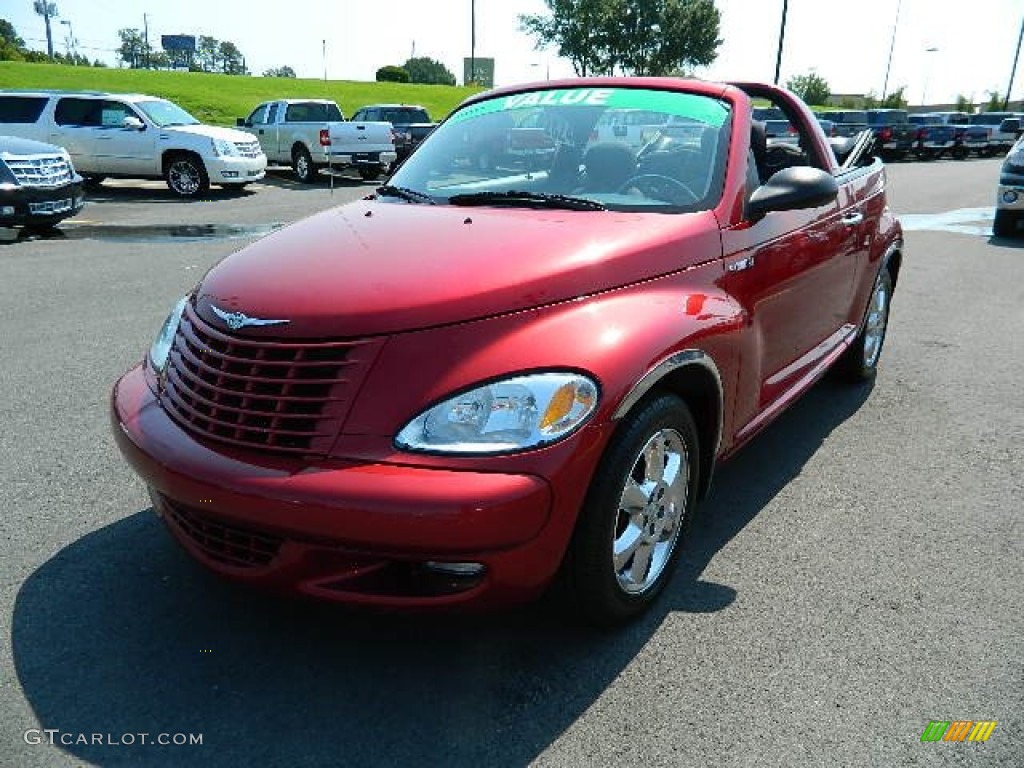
<point x="515" y="414"/>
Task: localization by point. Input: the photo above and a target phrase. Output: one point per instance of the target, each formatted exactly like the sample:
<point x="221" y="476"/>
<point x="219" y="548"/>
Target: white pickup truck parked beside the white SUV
<point x="311" y="135"/>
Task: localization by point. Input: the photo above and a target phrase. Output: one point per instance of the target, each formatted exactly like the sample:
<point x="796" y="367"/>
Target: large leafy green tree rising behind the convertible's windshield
<point x="633" y="37"/>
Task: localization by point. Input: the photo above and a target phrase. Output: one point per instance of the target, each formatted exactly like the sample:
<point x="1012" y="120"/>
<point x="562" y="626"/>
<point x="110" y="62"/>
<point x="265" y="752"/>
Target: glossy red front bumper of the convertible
<point x="351" y="532"/>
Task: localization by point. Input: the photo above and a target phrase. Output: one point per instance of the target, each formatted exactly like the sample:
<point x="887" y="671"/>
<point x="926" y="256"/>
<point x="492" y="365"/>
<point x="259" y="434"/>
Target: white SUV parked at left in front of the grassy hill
<point x="135" y="137"/>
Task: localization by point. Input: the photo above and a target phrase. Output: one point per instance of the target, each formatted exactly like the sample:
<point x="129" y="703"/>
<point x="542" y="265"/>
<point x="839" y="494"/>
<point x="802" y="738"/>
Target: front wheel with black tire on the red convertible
<point x="603" y="587"/>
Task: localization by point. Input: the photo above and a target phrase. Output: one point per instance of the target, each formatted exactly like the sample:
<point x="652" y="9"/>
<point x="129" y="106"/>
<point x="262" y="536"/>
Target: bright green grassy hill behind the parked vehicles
<point x="222" y="99"/>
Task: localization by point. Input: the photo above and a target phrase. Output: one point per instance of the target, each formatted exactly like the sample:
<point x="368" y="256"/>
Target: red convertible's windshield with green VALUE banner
<point x="585" y="149"/>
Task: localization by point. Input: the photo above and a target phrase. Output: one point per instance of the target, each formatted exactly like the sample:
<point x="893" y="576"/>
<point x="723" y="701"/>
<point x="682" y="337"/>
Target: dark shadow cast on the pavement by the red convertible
<point x="120" y="633"/>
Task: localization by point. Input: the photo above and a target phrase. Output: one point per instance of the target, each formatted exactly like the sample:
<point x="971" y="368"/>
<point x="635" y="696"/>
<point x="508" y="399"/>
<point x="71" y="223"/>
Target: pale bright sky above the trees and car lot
<point x="940" y="50"/>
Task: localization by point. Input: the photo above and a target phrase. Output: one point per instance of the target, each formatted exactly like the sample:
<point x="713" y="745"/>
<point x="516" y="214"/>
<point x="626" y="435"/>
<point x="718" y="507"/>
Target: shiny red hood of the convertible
<point x="380" y="268"/>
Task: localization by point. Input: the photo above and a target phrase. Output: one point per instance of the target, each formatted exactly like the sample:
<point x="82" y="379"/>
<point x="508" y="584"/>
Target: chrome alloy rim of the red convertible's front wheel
<point x="651" y="511"/>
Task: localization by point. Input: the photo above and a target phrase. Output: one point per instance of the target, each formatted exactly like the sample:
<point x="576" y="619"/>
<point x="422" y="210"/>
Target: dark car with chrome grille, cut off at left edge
<point x="38" y="184"/>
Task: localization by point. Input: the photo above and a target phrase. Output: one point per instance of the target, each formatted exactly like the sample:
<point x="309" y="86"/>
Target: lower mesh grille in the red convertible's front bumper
<point x="223" y="542"/>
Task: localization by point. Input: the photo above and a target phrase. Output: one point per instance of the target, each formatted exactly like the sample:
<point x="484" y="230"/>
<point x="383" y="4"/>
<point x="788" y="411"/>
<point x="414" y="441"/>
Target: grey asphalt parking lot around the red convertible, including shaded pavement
<point x="858" y="572"/>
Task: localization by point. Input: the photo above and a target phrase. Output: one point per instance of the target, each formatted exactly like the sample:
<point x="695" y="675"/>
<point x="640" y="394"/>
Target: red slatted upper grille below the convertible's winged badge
<point x="276" y="395"/>
